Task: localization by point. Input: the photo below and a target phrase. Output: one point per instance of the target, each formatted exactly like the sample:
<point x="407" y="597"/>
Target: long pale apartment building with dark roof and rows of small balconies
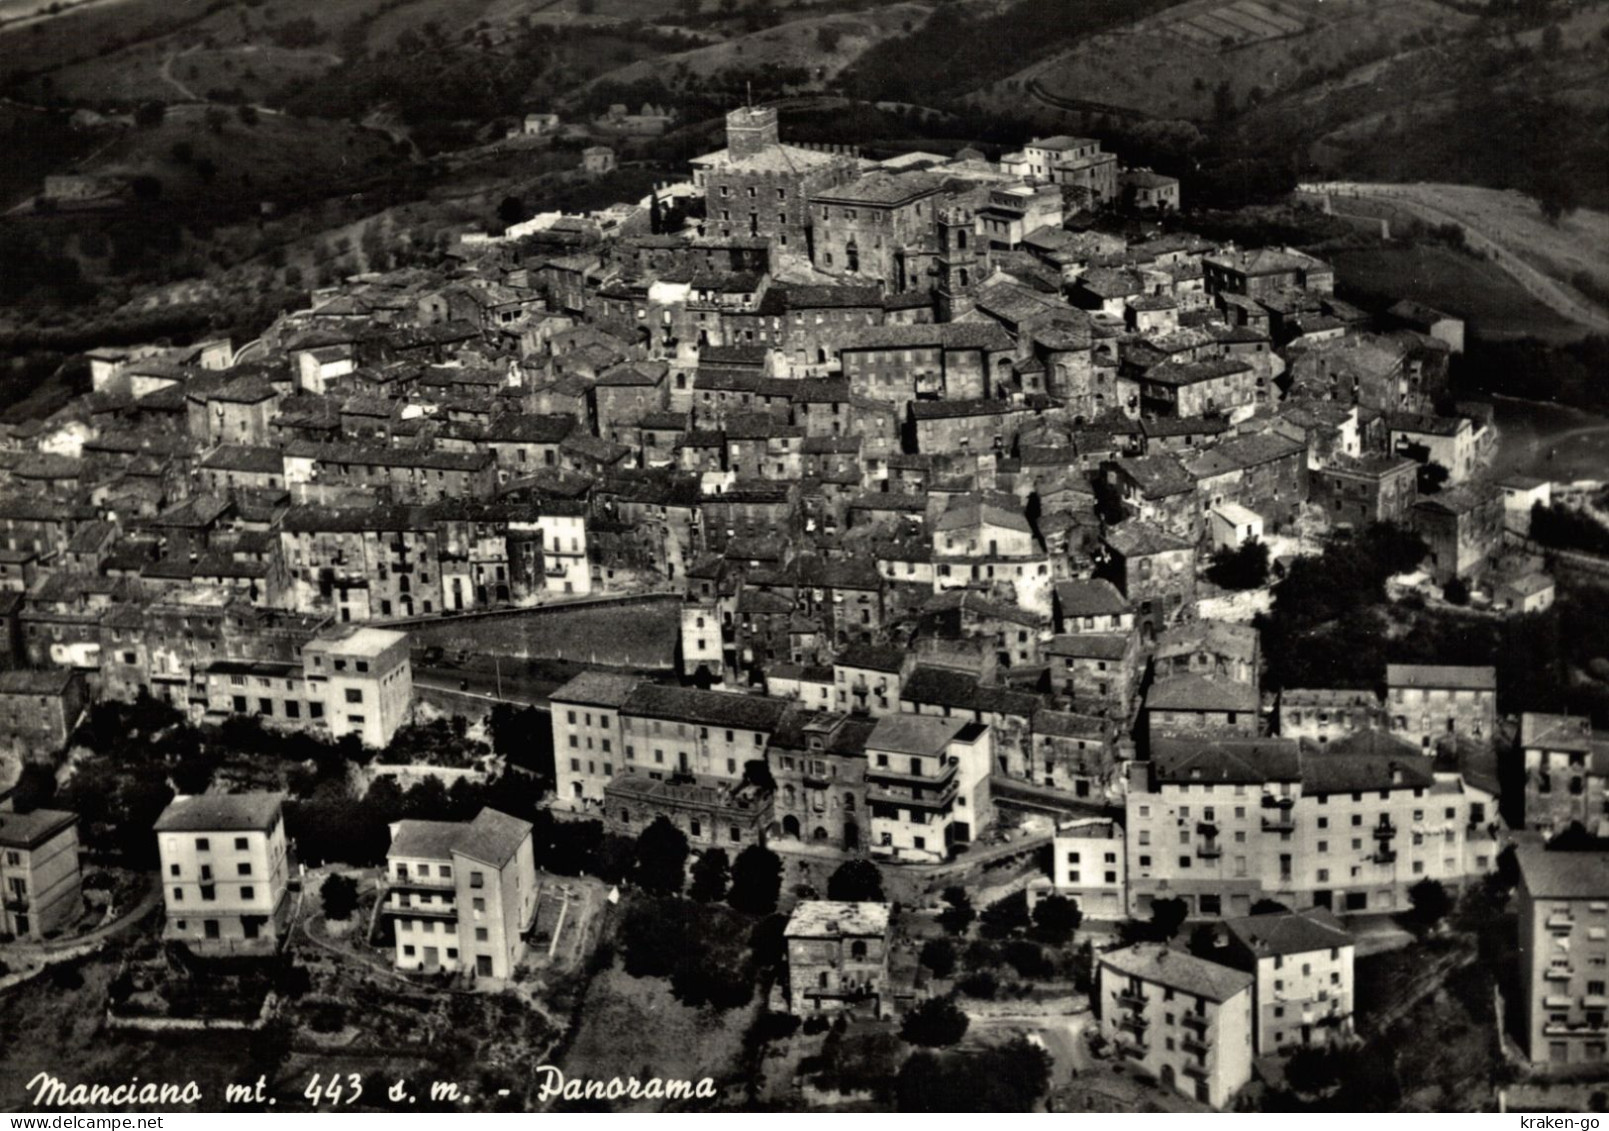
<point x="1351" y="828"/>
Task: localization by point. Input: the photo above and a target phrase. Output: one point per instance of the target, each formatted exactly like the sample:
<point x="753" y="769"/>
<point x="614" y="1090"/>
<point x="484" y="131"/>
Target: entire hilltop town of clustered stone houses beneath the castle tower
<point x="916" y="623"/>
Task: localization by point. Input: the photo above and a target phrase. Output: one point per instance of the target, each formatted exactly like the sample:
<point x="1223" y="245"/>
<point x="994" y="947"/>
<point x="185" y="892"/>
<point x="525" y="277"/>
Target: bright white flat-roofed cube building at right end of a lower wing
<point x="363" y="678"/>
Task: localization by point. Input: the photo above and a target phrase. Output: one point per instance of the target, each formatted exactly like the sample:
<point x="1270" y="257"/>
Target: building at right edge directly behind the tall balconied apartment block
<point x="1566" y="773"/>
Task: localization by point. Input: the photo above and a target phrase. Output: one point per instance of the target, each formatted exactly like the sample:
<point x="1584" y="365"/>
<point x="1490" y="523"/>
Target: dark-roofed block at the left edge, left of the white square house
<point x="39" y="873"/>
